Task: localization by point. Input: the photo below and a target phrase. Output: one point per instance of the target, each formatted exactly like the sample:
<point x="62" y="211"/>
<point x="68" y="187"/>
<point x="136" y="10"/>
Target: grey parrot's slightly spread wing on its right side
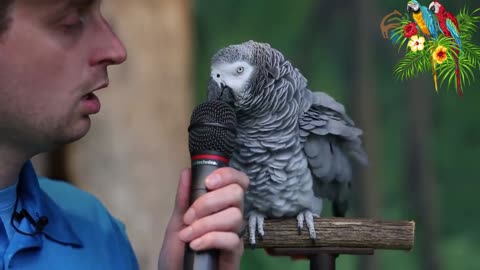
<point x="331" y="140"/>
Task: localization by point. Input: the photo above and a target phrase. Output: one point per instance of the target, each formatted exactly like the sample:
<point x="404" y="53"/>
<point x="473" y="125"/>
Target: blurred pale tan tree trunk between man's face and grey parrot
<point x="137" y="146"/>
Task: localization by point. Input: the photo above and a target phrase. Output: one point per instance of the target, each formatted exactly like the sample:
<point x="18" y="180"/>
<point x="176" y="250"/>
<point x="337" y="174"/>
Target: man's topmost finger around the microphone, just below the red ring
<point x="226" y="176"/>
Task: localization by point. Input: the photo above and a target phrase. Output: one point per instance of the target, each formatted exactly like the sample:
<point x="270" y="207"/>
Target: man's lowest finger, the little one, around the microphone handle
<point x="226" y="241"/>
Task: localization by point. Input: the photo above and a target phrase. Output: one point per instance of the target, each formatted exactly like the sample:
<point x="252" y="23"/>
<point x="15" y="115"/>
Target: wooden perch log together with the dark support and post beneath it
<point x="335" y="236"/>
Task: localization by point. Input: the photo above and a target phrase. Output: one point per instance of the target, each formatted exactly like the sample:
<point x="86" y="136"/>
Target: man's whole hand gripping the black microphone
<point x="212" y="222"/>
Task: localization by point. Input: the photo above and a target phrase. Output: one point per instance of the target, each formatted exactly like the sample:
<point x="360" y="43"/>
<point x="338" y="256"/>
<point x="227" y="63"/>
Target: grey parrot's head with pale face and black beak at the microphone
<point x="239" y="72"/>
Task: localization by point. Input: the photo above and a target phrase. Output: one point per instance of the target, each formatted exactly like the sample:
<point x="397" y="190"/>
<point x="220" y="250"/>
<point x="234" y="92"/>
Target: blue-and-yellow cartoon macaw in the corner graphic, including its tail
<point x="425" y="20"/>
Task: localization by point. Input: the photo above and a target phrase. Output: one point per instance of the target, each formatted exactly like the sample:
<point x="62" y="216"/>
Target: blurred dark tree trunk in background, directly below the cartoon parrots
<point x="421" y="180"/>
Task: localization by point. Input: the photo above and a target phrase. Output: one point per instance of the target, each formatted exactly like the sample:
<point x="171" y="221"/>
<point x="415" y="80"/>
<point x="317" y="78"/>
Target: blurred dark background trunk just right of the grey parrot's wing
<point x="364" y="105"/>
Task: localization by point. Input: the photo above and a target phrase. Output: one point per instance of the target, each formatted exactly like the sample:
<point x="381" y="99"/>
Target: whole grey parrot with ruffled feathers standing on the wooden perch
<point x="296" y="146"/>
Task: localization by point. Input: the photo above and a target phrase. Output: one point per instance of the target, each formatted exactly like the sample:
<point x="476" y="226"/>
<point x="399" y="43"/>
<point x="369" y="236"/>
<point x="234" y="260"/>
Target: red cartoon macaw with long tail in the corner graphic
<point x="449" y="26"/>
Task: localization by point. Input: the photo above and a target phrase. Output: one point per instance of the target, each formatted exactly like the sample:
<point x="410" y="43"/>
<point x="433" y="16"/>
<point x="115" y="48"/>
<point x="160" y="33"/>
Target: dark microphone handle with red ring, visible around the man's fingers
<point x="203" y="164"/>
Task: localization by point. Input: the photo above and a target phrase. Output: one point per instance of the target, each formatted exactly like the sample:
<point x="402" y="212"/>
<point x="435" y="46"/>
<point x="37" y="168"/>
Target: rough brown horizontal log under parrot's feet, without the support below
<point x="338" y="233"/>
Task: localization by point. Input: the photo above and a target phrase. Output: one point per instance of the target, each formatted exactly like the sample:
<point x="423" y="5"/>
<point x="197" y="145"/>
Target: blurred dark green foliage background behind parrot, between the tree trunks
<point x="453" y="145"/>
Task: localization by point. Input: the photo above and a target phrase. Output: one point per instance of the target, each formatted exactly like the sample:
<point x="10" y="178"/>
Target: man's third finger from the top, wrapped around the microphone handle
<point x="230" y="219"/>
